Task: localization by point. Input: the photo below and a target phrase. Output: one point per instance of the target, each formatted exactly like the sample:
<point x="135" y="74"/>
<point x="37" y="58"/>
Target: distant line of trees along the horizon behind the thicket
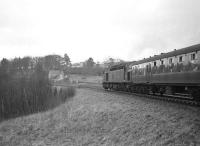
<point x="26" y="65"/>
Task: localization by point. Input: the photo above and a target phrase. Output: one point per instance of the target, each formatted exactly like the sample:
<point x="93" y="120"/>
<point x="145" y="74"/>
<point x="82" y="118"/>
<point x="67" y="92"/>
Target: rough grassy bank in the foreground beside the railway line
<point x="95" y="118"/>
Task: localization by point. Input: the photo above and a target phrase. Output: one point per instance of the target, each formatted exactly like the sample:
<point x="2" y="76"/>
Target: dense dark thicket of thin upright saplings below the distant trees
<point x="24" y="96"/>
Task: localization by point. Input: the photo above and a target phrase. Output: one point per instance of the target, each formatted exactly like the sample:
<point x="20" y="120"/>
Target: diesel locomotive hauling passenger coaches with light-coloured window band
<point x="173" y="73"/>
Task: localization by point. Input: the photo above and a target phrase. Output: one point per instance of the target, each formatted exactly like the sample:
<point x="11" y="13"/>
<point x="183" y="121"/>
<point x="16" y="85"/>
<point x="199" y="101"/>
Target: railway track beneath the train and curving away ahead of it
<point x="171" y="98"/>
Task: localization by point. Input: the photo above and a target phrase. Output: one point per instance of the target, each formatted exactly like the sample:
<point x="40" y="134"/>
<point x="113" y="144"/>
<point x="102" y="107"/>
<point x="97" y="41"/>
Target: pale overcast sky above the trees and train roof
<point x="126" y="29"/>
